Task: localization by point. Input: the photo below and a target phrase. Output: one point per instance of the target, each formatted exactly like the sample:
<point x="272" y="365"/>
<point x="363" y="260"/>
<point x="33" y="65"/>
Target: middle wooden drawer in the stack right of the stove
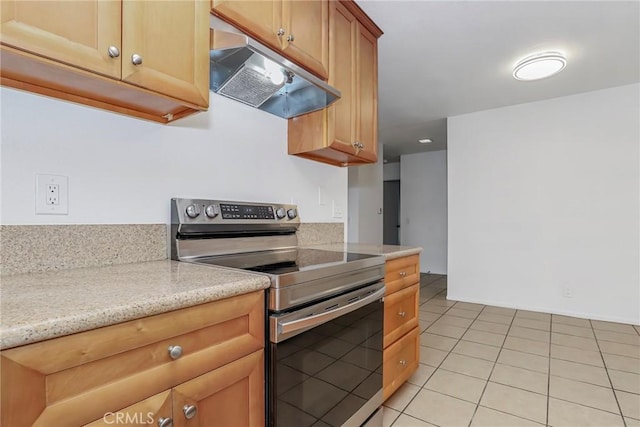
<point x="400" y="313"/>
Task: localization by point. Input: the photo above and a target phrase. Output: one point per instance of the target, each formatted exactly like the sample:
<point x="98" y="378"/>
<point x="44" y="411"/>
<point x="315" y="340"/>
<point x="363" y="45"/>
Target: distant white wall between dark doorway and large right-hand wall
<point x="423" y="207"/>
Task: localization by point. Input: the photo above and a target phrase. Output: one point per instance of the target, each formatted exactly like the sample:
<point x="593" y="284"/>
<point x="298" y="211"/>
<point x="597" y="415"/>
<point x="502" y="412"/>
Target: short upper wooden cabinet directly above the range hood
<point x="298" y="29"/>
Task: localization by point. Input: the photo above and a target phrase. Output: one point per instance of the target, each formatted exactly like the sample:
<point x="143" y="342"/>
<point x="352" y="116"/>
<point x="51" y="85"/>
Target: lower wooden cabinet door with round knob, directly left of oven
<point x="232" y="395"/>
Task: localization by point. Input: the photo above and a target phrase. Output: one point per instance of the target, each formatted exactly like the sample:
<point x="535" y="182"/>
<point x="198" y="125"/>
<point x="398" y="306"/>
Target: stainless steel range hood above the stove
<point x="247" y="71"/>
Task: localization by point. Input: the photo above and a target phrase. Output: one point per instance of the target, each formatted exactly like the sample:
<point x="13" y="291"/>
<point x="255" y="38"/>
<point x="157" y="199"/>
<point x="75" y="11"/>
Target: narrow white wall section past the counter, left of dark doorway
<point x="365" y="202"/>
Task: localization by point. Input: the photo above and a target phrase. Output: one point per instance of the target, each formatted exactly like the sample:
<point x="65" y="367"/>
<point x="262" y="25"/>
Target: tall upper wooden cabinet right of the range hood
<point x="345" y="133"/>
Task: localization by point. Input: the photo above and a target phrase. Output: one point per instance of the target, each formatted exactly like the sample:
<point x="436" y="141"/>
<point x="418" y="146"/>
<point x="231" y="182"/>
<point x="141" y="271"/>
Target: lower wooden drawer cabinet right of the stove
<point x="401" y="339"/>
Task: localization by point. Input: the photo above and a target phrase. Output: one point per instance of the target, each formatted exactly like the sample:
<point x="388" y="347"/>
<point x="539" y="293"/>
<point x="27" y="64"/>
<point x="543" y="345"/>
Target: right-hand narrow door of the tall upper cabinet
<point x="367" y="72"/>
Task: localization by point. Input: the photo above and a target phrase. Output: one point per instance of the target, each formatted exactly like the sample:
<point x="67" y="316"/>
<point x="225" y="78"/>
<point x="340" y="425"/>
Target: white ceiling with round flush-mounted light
<point x="438" y="59"/>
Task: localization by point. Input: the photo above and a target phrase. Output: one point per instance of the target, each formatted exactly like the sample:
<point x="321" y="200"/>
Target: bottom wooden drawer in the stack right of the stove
<point x="400" y="361"/>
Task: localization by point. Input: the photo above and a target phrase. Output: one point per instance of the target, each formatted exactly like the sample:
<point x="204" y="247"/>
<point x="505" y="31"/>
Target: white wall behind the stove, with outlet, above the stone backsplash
<point x="125" y="170"/>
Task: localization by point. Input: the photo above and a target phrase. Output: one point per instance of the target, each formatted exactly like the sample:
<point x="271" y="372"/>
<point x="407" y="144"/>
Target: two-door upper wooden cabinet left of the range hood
<point x="147" y="59"/>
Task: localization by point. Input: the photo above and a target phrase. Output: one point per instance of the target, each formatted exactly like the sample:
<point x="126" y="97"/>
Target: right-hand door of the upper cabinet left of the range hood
<point x="171" y="39"/>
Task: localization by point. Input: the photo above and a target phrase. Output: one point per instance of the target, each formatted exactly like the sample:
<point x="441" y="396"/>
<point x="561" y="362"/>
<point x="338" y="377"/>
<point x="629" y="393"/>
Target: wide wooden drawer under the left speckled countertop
<point x="77" y="378"/>
